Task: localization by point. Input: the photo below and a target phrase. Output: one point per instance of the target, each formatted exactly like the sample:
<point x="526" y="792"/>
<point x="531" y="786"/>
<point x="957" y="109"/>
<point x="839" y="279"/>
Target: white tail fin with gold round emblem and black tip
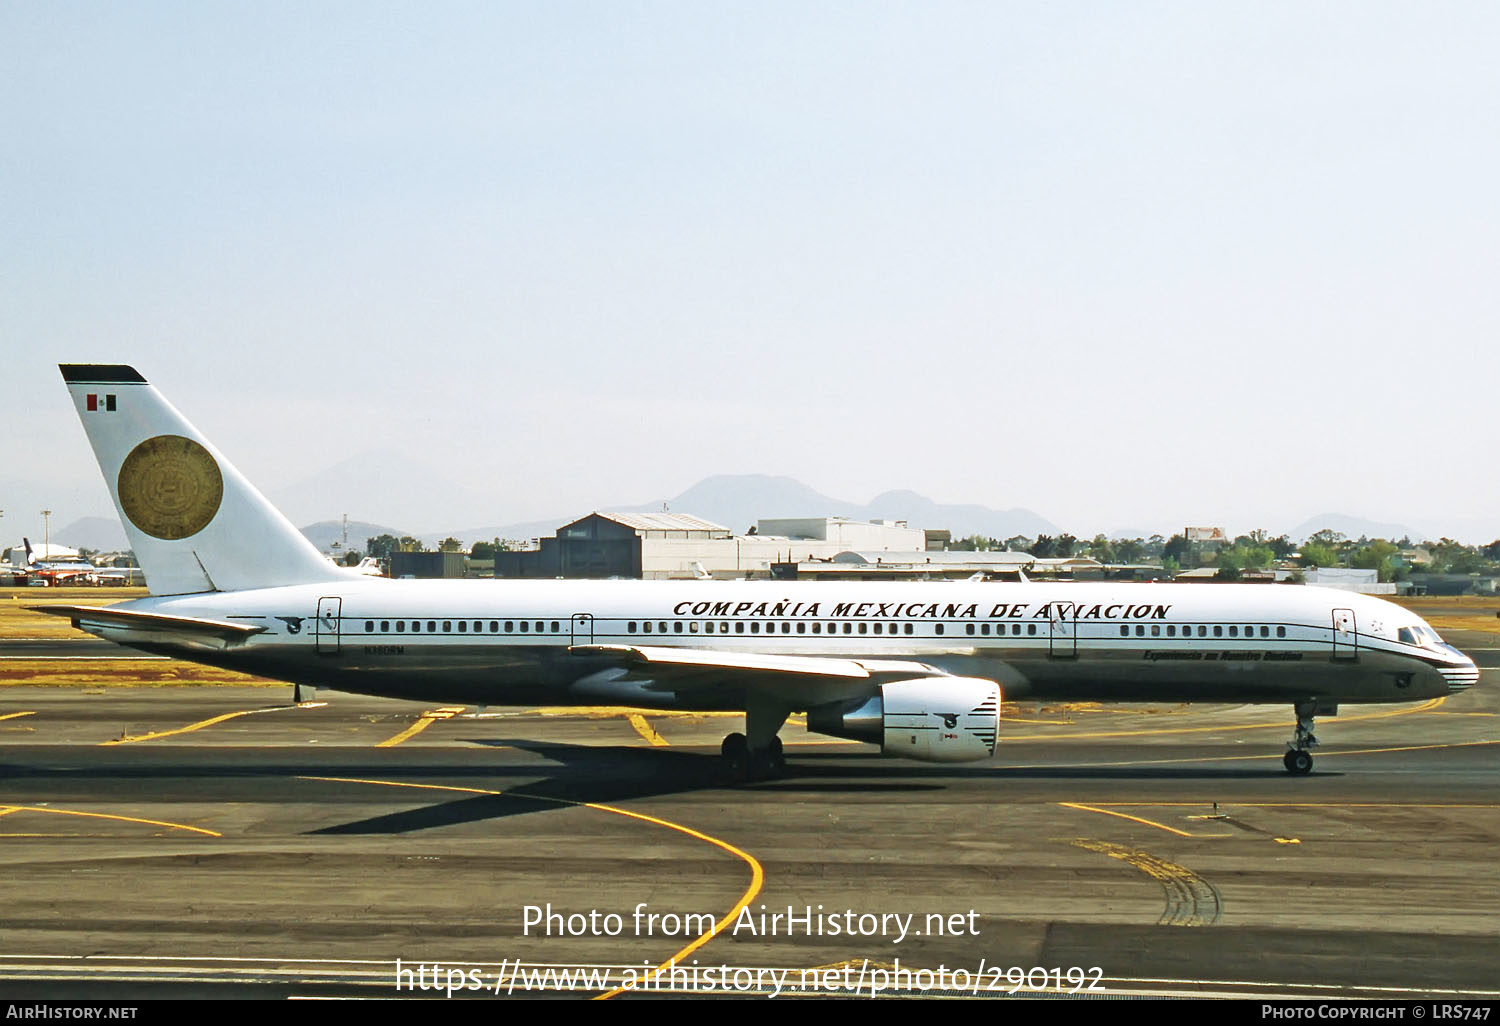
<point x="194" y="523"/>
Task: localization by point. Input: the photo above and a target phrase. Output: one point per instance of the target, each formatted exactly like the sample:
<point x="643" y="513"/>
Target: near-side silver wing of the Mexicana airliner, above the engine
<point x="802" y="680"/>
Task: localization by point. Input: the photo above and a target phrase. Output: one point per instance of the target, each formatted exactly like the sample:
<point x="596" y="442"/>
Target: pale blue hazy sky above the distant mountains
<point x="1120" y="263"/>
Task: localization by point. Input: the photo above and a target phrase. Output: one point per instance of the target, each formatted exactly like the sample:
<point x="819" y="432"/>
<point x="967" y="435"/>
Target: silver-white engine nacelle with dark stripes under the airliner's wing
<point x="934" y="719"/>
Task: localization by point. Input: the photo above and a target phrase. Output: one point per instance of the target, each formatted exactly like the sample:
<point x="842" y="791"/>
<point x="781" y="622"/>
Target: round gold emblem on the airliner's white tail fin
<point x="170" y="487"/>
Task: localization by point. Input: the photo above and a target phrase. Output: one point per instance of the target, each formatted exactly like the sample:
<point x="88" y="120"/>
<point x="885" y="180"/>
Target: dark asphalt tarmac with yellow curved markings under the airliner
<point x="224" y="842"/>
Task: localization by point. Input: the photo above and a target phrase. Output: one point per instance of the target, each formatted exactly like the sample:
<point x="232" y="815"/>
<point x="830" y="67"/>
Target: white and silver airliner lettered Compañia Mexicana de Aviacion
<point x="916" y="668"/>
